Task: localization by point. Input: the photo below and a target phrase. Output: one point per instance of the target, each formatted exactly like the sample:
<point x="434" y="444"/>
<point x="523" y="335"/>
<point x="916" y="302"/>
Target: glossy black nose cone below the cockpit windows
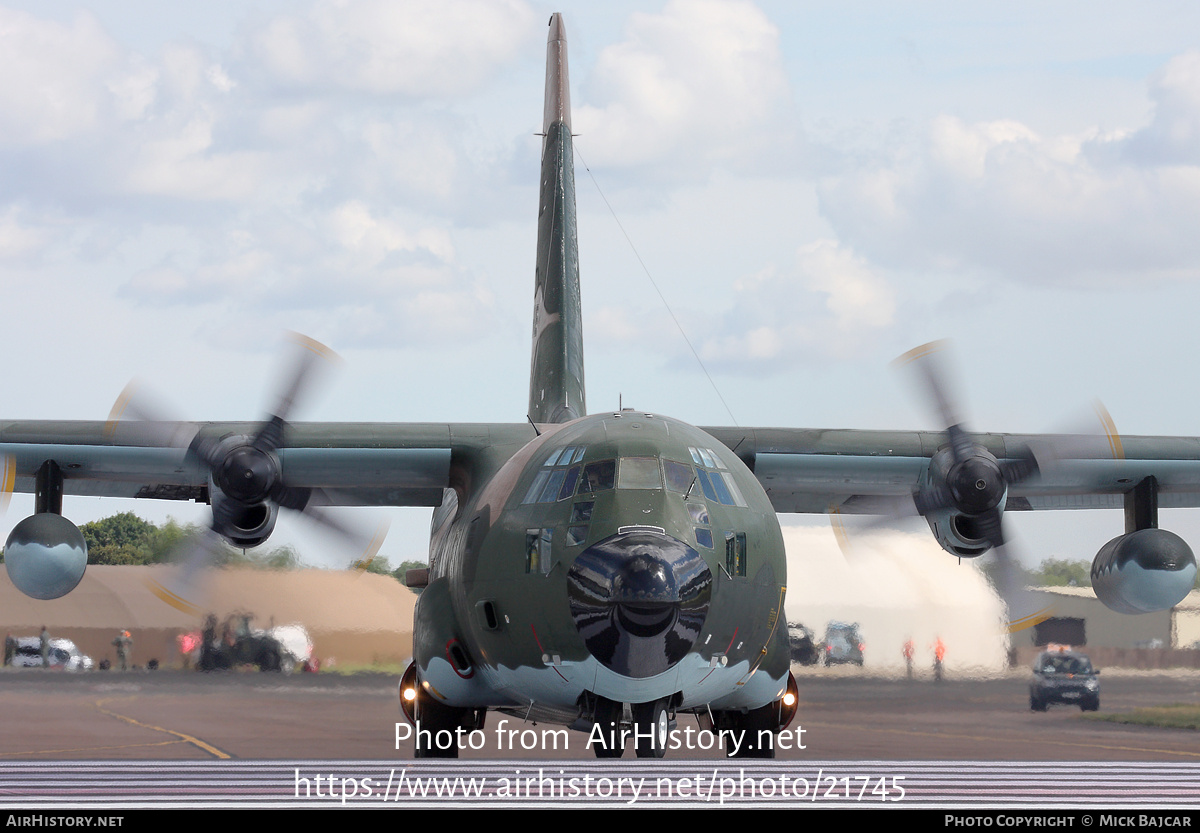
<point x="639" y="600"/>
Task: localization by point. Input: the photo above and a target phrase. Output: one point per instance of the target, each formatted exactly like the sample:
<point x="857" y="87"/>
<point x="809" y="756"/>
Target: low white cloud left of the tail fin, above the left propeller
<point x="352" y="275"/>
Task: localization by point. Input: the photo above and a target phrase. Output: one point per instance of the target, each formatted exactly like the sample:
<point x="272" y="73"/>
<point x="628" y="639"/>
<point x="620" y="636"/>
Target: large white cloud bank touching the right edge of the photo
<point x="998" y="197"/>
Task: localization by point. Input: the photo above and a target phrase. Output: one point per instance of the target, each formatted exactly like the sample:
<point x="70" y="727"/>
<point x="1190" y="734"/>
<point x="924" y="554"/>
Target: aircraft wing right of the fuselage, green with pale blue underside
<point x="818" y="471"/>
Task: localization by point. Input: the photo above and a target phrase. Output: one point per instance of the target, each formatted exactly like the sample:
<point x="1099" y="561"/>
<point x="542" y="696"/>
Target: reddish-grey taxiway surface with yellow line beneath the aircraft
<point x="849" y="717"/>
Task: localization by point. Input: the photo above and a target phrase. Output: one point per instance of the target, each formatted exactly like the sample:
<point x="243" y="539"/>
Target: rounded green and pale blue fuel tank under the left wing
<point x="46" y="556"/>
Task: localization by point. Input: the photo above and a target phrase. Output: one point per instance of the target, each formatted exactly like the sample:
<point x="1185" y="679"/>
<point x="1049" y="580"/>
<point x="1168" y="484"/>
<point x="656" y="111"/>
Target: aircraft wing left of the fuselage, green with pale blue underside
<point x="349" y="464"/>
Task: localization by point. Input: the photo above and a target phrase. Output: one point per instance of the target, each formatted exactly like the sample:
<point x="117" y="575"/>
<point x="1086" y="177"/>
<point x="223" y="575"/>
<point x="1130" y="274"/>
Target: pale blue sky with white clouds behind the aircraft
<point x="817" y="189"/>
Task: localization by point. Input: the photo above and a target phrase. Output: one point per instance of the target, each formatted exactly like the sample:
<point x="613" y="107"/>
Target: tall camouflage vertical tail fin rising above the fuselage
<point x="556" y="376"/>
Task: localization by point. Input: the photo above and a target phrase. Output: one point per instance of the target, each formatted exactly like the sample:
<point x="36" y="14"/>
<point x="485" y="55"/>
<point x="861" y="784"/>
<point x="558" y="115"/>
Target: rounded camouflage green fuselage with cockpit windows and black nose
<point x="515" y="615"/>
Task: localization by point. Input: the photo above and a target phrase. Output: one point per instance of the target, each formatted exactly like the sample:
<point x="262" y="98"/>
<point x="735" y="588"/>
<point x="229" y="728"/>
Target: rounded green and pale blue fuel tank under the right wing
<point x="1144" y="572"/>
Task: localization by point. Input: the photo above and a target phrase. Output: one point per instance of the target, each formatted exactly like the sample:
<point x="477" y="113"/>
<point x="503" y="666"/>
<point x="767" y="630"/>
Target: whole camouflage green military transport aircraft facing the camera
<point x="605" y="571"/>
